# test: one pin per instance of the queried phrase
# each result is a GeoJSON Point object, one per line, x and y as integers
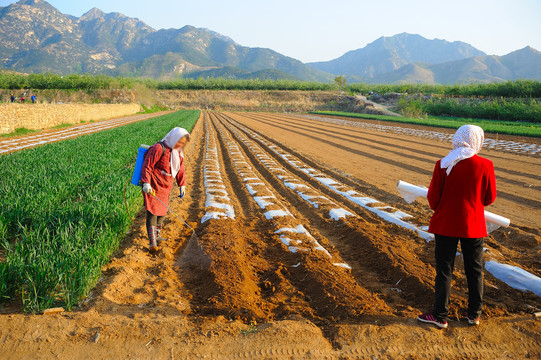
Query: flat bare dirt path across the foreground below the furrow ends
{"type": "Point", "coordinates": [156, 336]}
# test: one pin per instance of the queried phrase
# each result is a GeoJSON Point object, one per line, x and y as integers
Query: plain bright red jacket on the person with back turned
{"type": "Point", "coordinates": [459, 199]}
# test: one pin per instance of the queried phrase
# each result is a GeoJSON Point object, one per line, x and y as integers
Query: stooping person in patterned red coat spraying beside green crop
{"type": "Point", "coordinates": [164, 163]}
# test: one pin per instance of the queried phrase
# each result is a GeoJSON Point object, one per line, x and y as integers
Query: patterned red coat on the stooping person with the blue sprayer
{"type": "Point", "coordinates": [157, 172]}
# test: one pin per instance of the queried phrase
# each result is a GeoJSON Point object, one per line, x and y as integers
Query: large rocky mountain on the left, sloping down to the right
{"type": "Point", "coordinates": [36, 37]}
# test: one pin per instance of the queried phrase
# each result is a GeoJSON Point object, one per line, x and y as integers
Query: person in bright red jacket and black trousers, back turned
{"type": "Point", "coordinates": [462, 185]}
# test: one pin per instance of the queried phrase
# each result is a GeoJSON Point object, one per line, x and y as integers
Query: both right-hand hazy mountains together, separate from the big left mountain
{"type": "Point", "coordinates": [409, 58]}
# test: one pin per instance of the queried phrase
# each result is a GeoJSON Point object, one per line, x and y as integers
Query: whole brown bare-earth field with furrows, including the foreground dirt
{"type": "Point", "coordinates": [236, 291]}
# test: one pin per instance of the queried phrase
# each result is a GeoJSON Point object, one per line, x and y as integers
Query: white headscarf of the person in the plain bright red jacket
{"type": "Point", "coordinates": [467, 142]}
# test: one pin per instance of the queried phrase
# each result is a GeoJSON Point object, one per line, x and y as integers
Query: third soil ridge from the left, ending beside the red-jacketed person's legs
{"type": "Point", "coordinates": [359, 242]}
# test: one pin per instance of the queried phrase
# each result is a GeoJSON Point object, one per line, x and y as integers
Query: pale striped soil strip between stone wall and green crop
{"type": "Point", "coordinates": [53, 135]}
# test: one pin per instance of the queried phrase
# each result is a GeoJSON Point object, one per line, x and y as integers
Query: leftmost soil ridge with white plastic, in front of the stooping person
{"type": "Point", "coordinates": [226, 281]}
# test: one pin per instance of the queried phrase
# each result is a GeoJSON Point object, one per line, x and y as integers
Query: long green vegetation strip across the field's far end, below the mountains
{"type": "Point", "coordinates": [514, 89]}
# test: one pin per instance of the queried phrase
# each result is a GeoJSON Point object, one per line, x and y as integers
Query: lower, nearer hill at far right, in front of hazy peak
{"type": "Point", "coordinates": [520, 64]}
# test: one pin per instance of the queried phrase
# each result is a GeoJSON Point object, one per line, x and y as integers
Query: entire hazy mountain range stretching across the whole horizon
{"type": "Point", "coordinates": [36, 37]}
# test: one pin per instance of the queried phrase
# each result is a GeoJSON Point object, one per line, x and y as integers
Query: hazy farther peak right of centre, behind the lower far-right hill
{"type": "Point", "coordinates": [387, 54]}
